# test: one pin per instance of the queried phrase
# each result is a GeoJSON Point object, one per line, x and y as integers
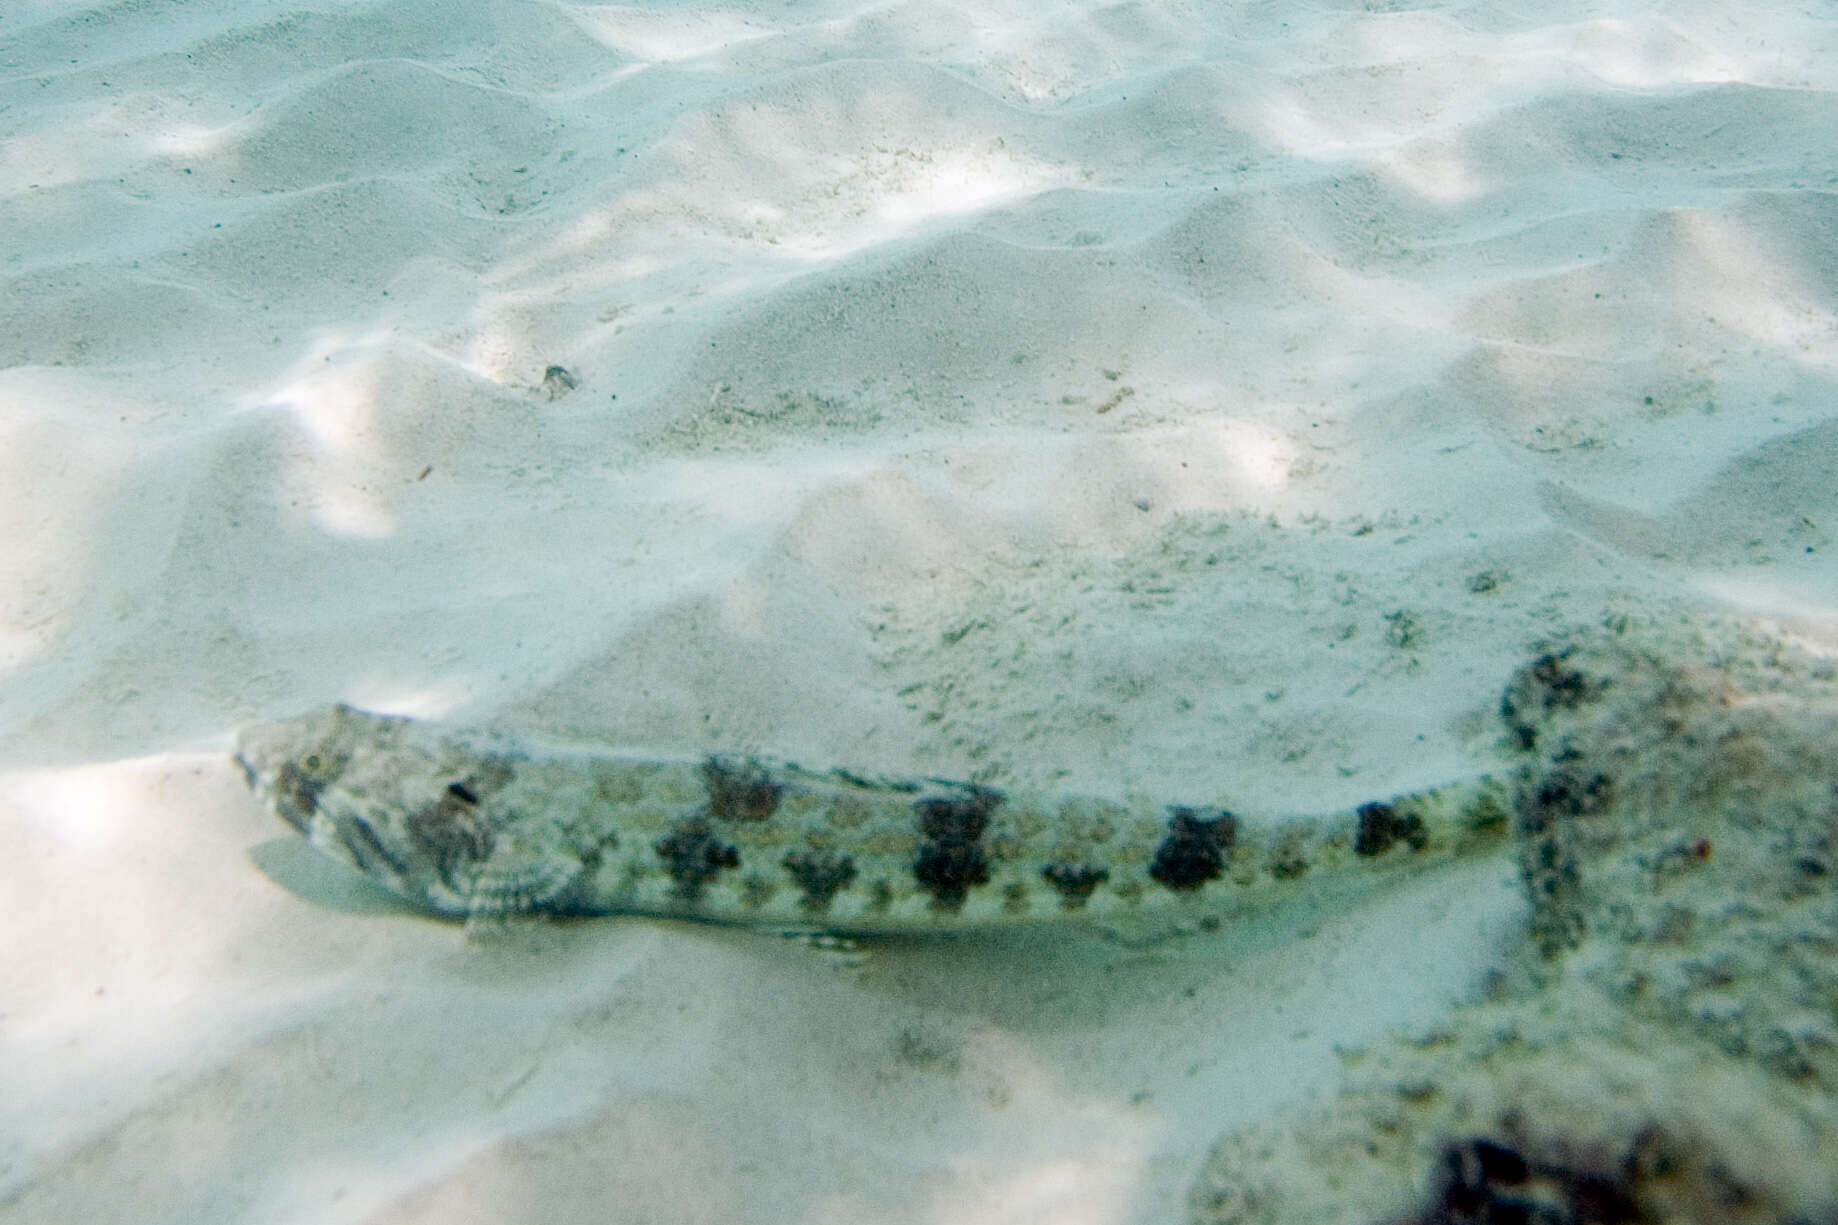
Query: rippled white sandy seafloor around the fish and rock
{"type": "Point", "coordinates": [1177, 398]}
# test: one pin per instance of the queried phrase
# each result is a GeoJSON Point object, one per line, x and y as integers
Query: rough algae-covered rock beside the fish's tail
{"type": "Point", "coordinates": [1666, 1048]}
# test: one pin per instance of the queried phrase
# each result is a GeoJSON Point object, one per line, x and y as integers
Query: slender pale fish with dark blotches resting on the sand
{"type": "Point", "coordinates": [479, 827]}
